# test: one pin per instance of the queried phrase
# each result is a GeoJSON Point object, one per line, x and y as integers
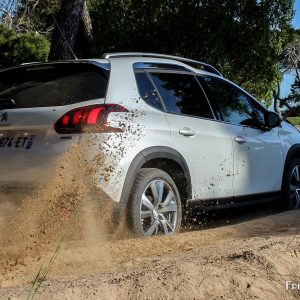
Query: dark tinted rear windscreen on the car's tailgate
{"type": "Point", "coordinates": [52, 85]}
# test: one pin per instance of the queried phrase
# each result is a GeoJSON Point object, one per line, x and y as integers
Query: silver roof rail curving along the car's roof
{"type": "Point", "coordinates": [193, 63]}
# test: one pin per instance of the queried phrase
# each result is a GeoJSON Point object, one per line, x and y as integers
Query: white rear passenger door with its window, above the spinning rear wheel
{"type": "Point", "coordinates": [204, 143]}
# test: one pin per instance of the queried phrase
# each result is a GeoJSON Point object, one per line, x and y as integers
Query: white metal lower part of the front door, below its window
{"type": "Point", "coordinates": [258, 163]}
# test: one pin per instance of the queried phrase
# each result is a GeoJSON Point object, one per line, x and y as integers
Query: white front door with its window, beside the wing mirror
{"type": "Point", "coordinates": [257, 152]}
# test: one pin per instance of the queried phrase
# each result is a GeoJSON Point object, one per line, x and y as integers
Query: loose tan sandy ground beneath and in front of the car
{"type": "Point", "coordinates": [251, 259]}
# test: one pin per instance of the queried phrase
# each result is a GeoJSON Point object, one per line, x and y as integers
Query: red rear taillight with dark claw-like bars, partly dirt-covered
{"type": "Point", "coordinates": [91, 118]}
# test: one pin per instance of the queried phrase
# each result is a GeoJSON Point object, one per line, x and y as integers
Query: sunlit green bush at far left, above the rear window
{"type": "Point", "coordinates": [20, 48]}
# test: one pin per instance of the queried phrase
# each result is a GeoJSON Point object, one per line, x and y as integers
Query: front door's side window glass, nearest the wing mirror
{"type": "Point", "coordinates": [233, 103]}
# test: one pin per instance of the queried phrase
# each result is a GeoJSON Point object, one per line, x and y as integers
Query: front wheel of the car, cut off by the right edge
{"type": "Point", "coordinates": [291, 185]}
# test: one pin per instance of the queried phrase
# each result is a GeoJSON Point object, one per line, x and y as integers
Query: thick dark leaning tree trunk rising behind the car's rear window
{"type": "Point", "coordinates": [65, 31]}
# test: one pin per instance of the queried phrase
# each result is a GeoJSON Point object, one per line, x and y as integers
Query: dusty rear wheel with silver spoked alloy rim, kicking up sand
{"type": "Point", "coordinates": [154, 204]}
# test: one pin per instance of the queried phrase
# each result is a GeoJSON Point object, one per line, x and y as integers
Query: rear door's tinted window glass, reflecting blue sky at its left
{"type": "Point", "coordinates": [182, 94]}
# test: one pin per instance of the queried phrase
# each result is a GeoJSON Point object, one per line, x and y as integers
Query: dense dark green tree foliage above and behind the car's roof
{"type": "Point", "coordinates": [243, 38]}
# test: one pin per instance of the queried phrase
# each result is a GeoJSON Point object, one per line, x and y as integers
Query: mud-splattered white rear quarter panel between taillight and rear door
{"type": "Point", "coordinates": [111, 154]}
